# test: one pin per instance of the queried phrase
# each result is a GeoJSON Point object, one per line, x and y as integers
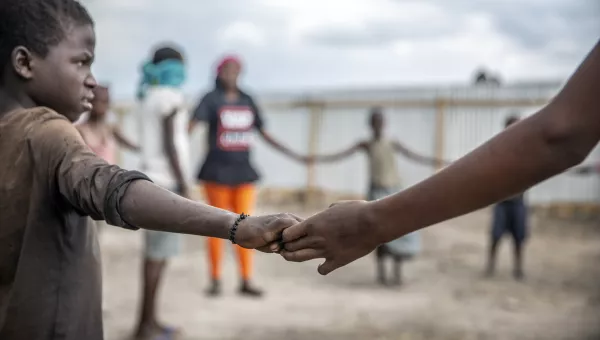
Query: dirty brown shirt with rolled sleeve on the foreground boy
{"type": "Point", "coordinates": [50, 282]}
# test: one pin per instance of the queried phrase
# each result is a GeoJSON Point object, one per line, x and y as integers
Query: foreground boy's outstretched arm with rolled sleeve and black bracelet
{"type": "Point", "coordinates": [86, 183]}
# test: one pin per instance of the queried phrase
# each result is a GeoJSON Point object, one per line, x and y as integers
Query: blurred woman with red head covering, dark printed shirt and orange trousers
{"type": "Point", "coordinates": [227, 175]}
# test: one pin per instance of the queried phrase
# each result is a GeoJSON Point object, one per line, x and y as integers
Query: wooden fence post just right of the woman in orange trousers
{"type": "Point", "coordinates": [316, 117]}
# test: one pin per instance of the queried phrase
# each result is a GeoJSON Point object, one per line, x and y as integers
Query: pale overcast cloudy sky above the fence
{"type": "Point", "coordinates": [296, 45]}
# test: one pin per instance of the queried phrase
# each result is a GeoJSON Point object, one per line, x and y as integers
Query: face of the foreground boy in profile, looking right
{"type": "Point", "coordinates": [63, 81]}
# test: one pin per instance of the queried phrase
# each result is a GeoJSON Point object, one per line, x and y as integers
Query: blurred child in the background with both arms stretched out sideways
{"type": "Point", "coordinates": [384, 181]}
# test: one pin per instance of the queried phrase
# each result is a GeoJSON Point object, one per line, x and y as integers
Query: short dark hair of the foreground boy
{"type": "Point", "coordinates": [37, 25]}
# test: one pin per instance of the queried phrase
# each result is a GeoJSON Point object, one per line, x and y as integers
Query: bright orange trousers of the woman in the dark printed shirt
{"type": "Point", "coordinates": [238, 199]}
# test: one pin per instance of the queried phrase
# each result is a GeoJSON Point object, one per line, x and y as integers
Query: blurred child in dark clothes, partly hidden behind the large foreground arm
{"type": "Point", "coordinates": [510, 216]}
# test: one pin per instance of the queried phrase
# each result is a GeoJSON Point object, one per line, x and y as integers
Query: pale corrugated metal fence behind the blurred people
{"type": "Point", "coordinates": [442, 122]}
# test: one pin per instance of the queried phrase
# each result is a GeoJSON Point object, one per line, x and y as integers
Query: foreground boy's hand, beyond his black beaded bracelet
{"type": "Point", "coordinates": [264, 232]}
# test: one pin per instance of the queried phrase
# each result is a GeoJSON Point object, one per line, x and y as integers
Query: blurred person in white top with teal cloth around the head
{"type": "Point", "coordinates": [163, 121]}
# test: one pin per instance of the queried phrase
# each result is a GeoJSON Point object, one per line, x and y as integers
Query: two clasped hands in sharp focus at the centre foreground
{"type": "Point", "coordinates": [340, 234]}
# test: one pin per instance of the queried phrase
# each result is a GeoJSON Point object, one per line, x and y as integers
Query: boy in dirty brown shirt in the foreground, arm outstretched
{"type": "Point", "coordinates": [50, 282]}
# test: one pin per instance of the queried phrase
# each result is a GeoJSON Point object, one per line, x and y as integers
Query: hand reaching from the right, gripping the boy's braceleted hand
{"type": "Point", "coordinates": [341, 234]}
